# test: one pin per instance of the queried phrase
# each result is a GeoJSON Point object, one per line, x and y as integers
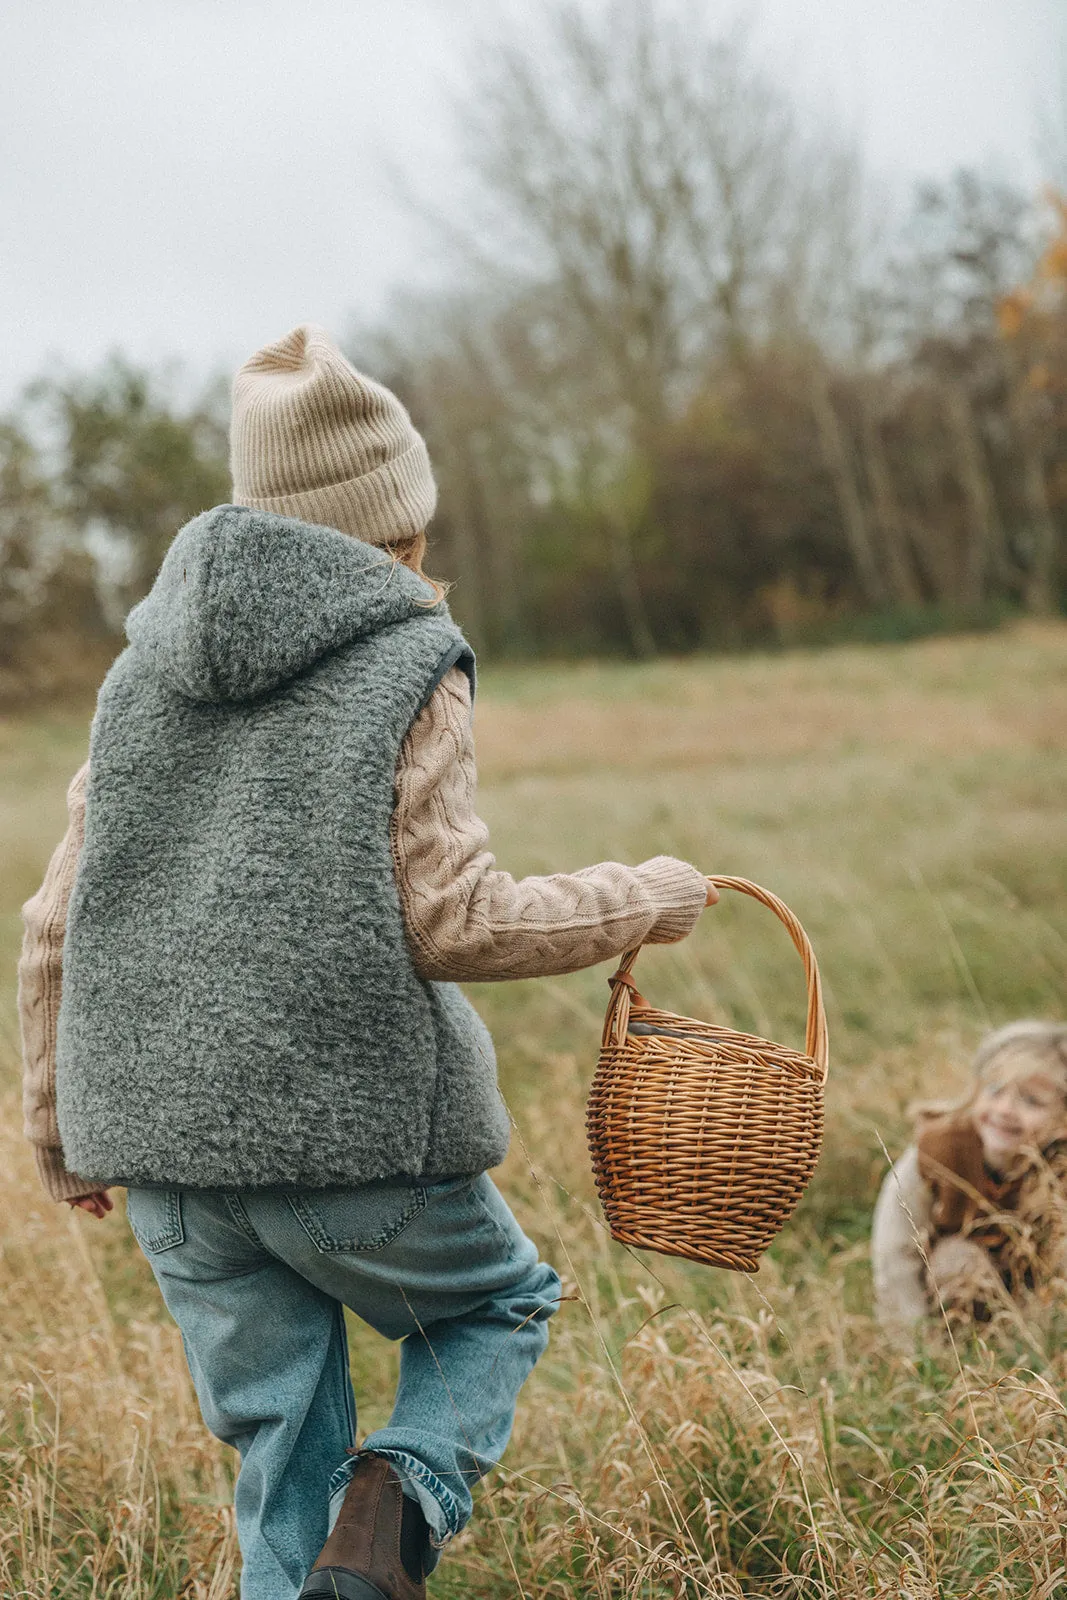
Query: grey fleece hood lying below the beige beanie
{"type": "Point", "coordinates": [246, 601]}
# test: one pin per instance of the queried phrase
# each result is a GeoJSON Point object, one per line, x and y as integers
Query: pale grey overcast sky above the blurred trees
{"type": "Point", "coordinates": [191, 178]}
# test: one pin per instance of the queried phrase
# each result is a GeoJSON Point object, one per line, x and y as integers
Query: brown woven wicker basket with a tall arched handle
{"type": "Point", "coordinates": [705, 1140]}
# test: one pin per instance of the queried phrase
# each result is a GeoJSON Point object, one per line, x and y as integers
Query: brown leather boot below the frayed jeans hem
{"type": "Point", "coordinates": [378, 1542]}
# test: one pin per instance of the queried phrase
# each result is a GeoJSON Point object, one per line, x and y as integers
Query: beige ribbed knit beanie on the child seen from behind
{"type": "Point", "coordinates": [314, 439]}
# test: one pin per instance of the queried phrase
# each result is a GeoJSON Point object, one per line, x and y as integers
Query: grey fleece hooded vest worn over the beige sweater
{"type": "Point", "coordinates": [239, 1001]}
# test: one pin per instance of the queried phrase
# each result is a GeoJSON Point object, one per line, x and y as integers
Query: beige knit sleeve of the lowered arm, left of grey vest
{"type": "Point", "coordinates": [41, 990]}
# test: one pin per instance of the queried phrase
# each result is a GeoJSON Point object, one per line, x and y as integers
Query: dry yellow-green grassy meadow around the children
{"type": "Point", "coordinates": [690, 1433]}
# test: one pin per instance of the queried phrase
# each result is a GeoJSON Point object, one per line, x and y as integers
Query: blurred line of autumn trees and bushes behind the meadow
{"type": "Point", "coordinates": [692, 386]}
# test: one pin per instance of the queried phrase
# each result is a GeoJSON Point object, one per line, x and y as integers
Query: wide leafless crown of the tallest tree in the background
{"type": "Point", "coordinates": [655, 175]}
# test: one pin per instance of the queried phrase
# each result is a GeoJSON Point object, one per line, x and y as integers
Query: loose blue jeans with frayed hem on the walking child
{"type": "Point", "coordinates": [257, 1281]}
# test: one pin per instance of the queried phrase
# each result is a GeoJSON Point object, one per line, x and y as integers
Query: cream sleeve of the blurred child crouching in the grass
{"type": "Point", "coordinates": [898, 1241]}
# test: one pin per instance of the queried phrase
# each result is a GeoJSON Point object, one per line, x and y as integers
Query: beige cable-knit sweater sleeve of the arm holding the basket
{"type": "Point", "coordinates": [468, 921]}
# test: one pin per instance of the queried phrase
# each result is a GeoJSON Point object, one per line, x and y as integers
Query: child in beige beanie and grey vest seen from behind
{"type": "Point", "coordinates": [271, 881]}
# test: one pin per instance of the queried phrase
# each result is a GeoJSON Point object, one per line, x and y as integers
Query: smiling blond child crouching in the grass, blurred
{"type": "Point", "coordinates": [973, 1212]}
